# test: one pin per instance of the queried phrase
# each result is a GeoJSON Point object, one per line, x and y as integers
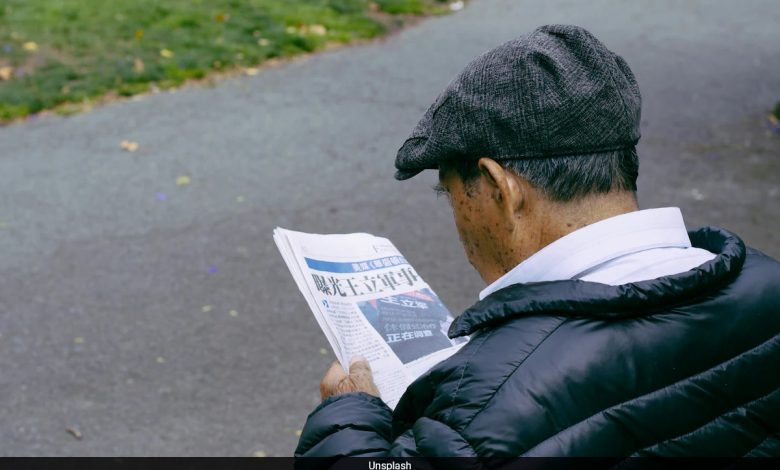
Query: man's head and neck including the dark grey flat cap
{"type": "Point", "coordinates": [532, 140]}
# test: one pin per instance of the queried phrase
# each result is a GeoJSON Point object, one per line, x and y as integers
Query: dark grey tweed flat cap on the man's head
{"type": "Point", "coordinates": [555, 91]}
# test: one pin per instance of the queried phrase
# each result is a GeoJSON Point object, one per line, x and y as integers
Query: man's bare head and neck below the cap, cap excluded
{"type": "Point", "coordinates": [505, 212]}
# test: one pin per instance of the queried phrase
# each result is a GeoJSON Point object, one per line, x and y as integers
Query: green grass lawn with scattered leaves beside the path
{"type": "Point", "coordinates": [58, 54]}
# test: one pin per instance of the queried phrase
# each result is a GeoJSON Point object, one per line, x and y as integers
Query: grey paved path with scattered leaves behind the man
{"type": "Point", "coordinates": [102, 325]}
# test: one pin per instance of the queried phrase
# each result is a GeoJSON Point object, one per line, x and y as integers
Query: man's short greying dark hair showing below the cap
{"type": "Point", "coordinates": [569, 177]}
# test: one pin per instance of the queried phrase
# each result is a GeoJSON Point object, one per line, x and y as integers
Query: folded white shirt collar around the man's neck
{"type": "Point", "coordinates": [597, 243]}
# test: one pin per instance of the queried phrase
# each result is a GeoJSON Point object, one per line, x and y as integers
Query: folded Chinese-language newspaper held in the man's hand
{"type": "Point", "coordinates": [370, 302]}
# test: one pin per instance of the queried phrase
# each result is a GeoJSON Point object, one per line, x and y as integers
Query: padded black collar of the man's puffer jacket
{"type": "Point", "coordinates": [576, 298]}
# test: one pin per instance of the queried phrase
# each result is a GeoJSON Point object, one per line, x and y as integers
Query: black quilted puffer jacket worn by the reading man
{"type": "Point", "coordinates": [682, 365]}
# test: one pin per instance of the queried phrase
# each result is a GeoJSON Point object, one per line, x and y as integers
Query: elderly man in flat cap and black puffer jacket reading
{"type": "Point", "coordinates": [604, 330]}
